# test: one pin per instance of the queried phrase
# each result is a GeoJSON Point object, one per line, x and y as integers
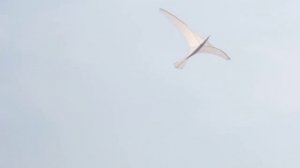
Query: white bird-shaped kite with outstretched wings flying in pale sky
{"type": "Point", "coordinates": [196, 43]}
